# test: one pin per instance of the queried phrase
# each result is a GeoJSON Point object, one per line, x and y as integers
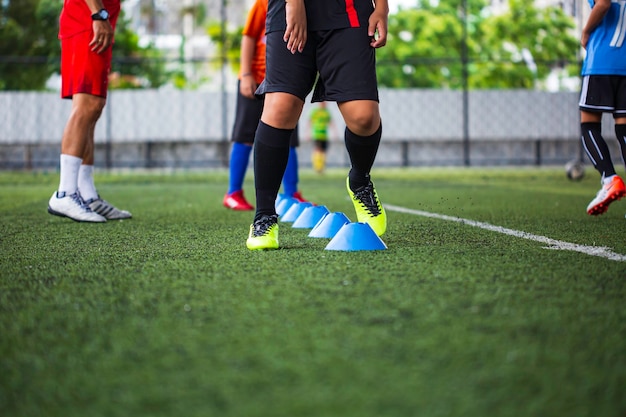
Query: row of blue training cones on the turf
{"type": "Point", "coordinates": [344, 235]}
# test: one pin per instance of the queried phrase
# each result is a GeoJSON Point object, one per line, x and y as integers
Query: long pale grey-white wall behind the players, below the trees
{"type": "Point", "coordinates": [153, 115]}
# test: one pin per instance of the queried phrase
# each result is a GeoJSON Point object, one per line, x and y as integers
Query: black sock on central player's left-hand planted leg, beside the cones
{"type": "Point", "coordinates": [271, 153]}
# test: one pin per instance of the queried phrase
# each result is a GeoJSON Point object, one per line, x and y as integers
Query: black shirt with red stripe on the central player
{"type": "Point", "coordinates": [322, 14]}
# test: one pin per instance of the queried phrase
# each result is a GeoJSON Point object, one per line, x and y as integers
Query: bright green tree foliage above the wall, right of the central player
{"type": "Point", "coordinates": [512, 50]}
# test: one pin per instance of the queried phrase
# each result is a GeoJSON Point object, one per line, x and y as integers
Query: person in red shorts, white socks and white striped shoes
{"type": "Point", "coordinates": [86, 31]}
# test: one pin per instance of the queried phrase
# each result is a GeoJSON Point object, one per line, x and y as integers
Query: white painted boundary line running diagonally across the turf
{"type": "Point", "coordinates": [600, 251]}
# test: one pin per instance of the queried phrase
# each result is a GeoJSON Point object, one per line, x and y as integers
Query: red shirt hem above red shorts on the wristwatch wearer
{"type": "Point", "coordinates": [76, 16]}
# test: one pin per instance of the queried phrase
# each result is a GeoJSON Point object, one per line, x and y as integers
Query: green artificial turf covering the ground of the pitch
{"type": "Point", "coordinates": [168, 314]}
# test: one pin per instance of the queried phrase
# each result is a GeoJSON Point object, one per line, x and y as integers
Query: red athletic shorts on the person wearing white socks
{"type": "Point", "coordinates": [84, 71]}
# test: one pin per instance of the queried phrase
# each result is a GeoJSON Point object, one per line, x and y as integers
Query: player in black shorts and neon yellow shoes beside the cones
{"type": "Point", "coordinates": [327, 46]}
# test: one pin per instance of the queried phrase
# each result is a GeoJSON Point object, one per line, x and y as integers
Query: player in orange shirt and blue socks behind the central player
{"type": "Point", "coordinates": [248, 114]}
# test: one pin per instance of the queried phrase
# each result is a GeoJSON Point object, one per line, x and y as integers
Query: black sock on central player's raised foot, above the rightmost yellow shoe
{"type": "Point", "coordinates": [362, 151]}
